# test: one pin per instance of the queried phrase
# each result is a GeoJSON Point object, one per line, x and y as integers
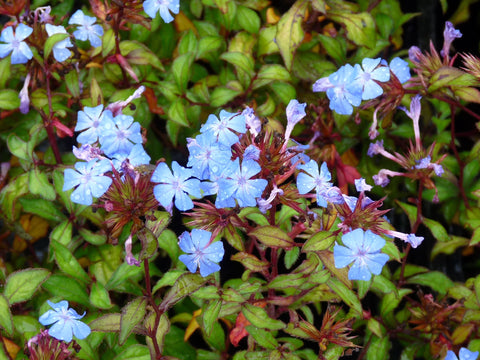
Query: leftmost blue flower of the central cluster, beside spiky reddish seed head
{"type": "Point", "coordinates": [177, 185]}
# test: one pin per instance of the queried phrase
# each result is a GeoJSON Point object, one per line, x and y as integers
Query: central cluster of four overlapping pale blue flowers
{"type": "Point", "coordinates": [211, 169]}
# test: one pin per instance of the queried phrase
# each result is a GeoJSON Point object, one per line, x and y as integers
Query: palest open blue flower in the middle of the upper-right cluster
{"type": "Point", "coordinates": [369, 75]}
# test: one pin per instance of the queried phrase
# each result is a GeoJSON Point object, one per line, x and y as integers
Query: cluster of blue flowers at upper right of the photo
{"type": "Point", "coordinates": [349, 85]}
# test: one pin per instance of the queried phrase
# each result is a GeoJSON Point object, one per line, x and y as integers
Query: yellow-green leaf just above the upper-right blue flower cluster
{"type": "Point", "coordinates": [360, 27]}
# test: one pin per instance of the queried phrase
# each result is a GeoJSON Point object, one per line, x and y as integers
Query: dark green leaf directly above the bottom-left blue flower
{"type": "Point", "coordinates": [66, 288]}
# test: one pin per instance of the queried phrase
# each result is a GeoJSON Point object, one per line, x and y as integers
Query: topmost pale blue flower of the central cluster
{"type": "Point", "coordinates": [221, 129]}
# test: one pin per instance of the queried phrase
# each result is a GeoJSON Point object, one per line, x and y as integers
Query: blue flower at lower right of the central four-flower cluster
{"type": "Point", "coordinates": [239, 185]}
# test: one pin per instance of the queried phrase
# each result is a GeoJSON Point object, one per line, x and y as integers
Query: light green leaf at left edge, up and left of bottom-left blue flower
{"type": "Point", "coordinates": [21, 285]}
